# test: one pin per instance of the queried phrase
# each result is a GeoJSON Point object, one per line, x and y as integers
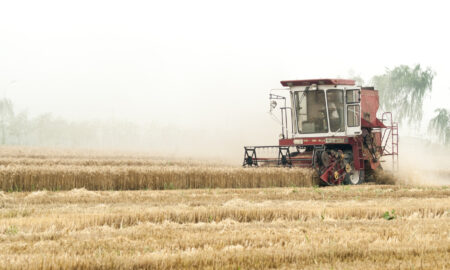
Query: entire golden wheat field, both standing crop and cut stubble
{"type": "Point", "coordinates": [78, 210]}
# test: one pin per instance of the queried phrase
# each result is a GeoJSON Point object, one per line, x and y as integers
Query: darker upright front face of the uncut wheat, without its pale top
{"type": "Point", "coordinates": [28, 178]}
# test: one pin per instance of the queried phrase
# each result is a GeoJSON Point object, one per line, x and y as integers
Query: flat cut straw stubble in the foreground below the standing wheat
{"type": "Point", "coordinates": [332, 228]}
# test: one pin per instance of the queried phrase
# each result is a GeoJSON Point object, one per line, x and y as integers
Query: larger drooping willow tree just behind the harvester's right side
{"type": "Point", "coordinates": [402, 91]}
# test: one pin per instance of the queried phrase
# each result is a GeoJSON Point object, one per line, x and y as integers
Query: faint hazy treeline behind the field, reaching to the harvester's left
{"type": "Point", "coordinates": [151, 138]}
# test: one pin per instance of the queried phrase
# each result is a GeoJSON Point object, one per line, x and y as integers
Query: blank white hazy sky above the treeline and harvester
{"type": "Point", "coordinates": [192, 63]}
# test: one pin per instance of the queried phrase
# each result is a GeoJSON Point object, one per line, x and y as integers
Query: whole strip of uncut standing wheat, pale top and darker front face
{"type": "Point", "coordinates": [23, 169]}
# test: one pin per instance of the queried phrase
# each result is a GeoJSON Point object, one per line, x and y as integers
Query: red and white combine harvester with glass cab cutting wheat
{"type": "Point", "coordinates": [333, 128]}
